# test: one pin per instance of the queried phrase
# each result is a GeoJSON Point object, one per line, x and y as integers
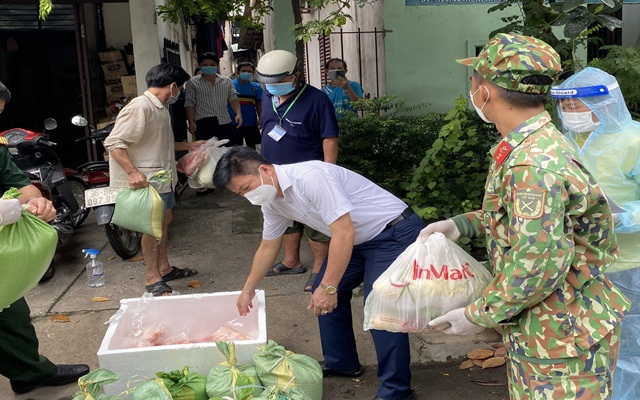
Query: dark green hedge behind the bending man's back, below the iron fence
{"type": "Point", "coordinates": [388, 141]}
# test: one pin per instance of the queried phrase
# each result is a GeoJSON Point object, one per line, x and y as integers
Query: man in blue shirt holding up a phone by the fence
{"type": "Point", "coordinates": [341, 91]}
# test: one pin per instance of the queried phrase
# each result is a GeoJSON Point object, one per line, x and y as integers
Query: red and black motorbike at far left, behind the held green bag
{"type": "Point", "coordinates": [33, 153]}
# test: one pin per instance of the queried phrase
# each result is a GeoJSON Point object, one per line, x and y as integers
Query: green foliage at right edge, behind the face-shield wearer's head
{"type": "Point", "coordinates": [624, 64]}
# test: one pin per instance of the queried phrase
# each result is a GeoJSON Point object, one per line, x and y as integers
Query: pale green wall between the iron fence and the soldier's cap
{"type": "Point", "coordinates": [426, 40]}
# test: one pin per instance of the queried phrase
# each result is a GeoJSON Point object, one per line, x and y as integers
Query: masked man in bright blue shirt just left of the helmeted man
{"type": "Point", "coordinates": [249, 95]}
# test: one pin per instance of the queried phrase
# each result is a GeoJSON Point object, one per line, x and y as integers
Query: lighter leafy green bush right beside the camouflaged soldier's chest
{"type": "Point", "coordinates": [450, 178]}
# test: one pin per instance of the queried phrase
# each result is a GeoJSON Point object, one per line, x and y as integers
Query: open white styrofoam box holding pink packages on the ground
{"type": "Point", "coordinates": [200, 314]}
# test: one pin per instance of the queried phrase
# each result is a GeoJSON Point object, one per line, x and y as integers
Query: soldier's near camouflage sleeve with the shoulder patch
{"type": "Point", "coordinates": [532, 253]}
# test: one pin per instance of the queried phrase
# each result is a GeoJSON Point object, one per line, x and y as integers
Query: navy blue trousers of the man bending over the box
{"type": "Point", "coordinates": [368, 261]}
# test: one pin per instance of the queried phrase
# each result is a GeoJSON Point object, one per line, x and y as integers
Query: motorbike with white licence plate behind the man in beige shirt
{"type": "Point", "coordinates": [101, 198]}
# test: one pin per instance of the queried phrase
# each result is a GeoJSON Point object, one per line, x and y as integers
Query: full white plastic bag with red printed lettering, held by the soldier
{"type": "Point", "coordinates": [426, 281]}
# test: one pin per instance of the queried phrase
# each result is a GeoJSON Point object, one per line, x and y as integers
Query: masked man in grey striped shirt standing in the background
{"type": "Point", "coordinates": [206, 101]}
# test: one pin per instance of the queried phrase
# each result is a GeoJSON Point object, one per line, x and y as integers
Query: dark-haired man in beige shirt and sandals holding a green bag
{"type": "Point", "coordinates": [140, 144]}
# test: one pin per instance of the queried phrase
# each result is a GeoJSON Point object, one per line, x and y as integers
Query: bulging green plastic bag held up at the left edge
{"type": "Point", "coordinates": [26, 250]}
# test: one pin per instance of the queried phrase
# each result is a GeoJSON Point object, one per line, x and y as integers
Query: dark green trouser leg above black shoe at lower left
{"type": "Point", "coordinates": [19, 346]}
